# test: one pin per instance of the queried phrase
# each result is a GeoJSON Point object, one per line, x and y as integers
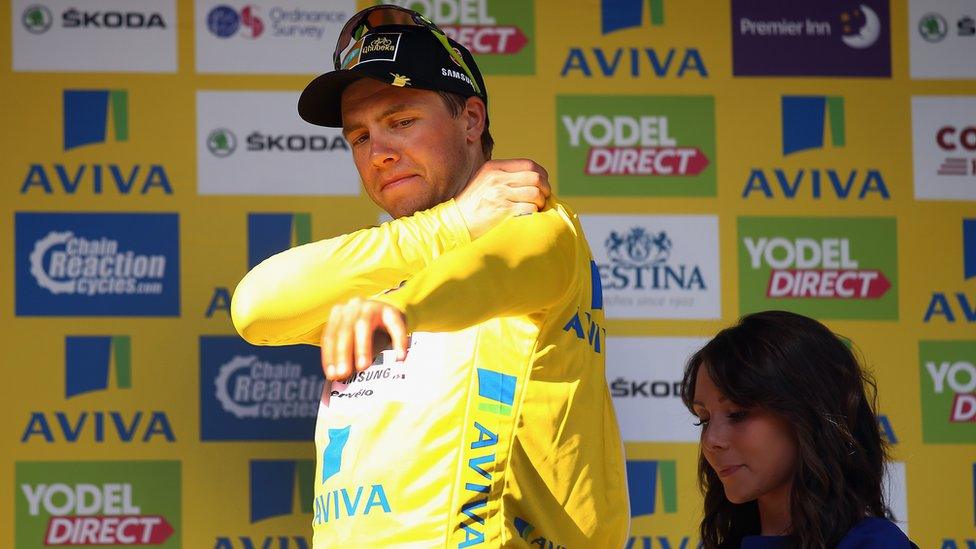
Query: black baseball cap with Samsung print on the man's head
{"type": "Point", "coordinates": [408, 56]}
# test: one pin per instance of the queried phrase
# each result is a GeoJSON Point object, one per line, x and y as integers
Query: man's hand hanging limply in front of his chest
{"type": "Point", "coordinates": [354, 330]}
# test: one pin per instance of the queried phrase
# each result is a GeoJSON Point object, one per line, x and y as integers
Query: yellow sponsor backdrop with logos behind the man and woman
{"type": "Point", "coordinates": [725, 157]}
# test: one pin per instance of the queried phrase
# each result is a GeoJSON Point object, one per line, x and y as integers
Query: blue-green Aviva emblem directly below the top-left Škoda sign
{"type": "Point", "coordinates": [87, 114]}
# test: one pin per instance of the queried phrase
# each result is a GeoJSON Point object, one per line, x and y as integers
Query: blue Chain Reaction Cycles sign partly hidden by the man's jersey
{"type": "Point", "coordinates": [257, 393]}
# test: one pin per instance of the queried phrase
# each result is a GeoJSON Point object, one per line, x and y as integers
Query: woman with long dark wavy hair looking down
{"type": "Point", "coordinates": [791, 453]}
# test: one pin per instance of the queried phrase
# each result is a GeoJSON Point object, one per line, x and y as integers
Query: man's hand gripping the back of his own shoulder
{"type": "Point", "coordinates": [502, 189]}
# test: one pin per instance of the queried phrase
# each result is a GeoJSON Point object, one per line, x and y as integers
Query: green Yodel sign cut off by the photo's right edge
{"type": "Point", "coordinates": [948, 383]}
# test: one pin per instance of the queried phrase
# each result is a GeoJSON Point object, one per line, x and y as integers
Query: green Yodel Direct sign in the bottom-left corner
{"type": "Point", "coordinates": [118, 503]}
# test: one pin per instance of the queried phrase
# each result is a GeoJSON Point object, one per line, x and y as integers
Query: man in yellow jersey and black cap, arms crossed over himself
{"type": "Point", "coordinates": [489, 424]}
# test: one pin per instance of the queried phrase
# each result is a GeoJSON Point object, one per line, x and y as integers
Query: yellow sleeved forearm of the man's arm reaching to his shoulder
{"type": "Point", "coordinates": [287, 298]}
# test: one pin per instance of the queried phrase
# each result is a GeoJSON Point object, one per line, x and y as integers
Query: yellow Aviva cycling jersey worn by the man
{"type": "Point", "coordinates": [497, 430]}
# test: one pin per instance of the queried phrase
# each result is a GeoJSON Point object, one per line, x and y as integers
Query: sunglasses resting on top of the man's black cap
{"type": "Point", "coordinates": [377, 16]}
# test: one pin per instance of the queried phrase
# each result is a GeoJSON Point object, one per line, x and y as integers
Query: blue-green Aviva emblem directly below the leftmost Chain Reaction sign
{"type": "Point", "coordinates": [89, 360]}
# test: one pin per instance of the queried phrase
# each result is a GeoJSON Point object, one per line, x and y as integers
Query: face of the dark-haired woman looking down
{"type": "Point", "coordinates": [752, 450]}
